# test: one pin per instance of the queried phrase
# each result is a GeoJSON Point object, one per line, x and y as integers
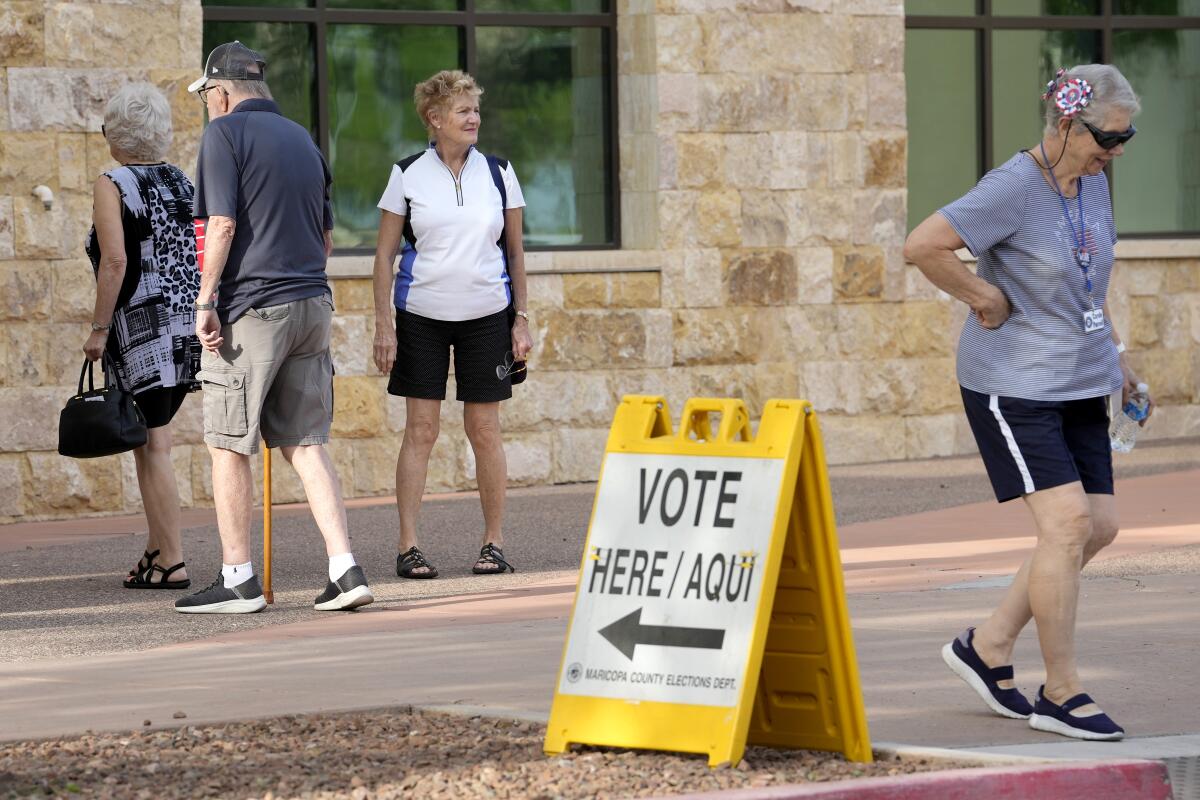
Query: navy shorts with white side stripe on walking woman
{"type": "Point", "coordinates": [1034, 446]}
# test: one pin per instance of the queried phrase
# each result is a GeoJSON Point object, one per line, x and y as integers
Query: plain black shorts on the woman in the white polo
{"type": "Point", "coordinates": [423, 358]}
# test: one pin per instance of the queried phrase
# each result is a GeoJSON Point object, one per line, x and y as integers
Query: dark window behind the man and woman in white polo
{"type": "Point", "coordinates": [346, 70]}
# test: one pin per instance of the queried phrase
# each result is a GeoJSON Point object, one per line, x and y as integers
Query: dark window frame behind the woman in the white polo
{"type": "Point", "coordinates": [466, 20]}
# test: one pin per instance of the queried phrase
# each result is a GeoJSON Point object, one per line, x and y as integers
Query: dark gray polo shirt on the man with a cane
{"type": "Point", "coordinates": [262, 170]}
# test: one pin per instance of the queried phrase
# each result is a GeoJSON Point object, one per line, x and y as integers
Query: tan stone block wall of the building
{"type": "Point", "coordinates": [763, 176]}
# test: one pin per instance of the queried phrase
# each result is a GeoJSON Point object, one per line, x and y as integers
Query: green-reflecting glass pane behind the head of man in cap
{"type": "Point", "coordinates": [291, 67]}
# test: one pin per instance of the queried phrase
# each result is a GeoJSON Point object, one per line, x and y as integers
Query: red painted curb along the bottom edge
{"type": "Point", "coordinates": [1130, 780]}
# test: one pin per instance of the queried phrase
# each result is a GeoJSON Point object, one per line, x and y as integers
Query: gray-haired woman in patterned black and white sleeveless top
{"type": "Point", "coordinates": [143, 250]}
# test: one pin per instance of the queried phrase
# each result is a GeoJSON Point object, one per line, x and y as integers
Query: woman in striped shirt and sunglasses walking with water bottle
{"type": "Point", "coordinates": [1037, 360]}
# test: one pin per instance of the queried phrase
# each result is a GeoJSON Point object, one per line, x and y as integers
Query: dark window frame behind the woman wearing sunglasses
{"type": "Point", "coordinates": [985, 23]}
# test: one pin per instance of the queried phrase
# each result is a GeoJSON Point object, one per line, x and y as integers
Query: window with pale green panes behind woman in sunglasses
{"type": "Point", "coordinates": [975, 71]}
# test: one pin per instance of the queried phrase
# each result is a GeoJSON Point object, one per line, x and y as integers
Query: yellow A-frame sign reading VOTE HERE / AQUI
{"type": "Point", "coordinates": [710, 609]}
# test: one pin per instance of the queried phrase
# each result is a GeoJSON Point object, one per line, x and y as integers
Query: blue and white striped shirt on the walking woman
{"type": "Point", "coordinates": [1013, 222]}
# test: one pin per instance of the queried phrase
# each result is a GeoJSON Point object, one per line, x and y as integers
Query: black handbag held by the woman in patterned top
{"type": "Point", "coordinates": [101, 422]}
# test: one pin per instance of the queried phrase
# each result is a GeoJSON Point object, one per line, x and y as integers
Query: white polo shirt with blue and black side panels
{"type": "Point", "coordinates": [455, 269]}
